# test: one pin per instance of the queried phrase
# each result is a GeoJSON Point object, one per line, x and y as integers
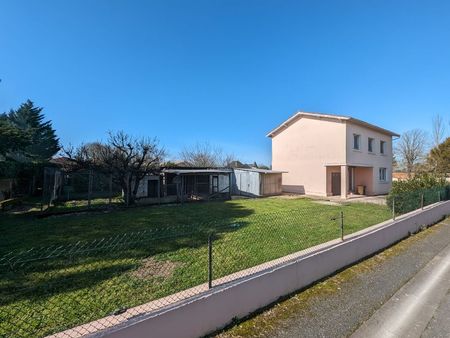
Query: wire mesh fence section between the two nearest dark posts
{"type": "Point", "coordinates": [268, 241]}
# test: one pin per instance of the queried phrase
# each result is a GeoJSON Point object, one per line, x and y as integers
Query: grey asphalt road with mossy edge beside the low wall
{"type": "Point", "coordinates": [355, 297]}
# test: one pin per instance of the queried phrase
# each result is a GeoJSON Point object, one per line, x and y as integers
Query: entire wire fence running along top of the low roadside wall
{"type": "Point", "coordinates": [77, 289]}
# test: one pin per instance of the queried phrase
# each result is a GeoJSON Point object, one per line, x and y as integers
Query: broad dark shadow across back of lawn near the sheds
{"type": "Point", "coordinates": [22, 232]}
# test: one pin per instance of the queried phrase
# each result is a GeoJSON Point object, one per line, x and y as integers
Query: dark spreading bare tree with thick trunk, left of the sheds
{"type": "Point", "coordinates": [126, 158]}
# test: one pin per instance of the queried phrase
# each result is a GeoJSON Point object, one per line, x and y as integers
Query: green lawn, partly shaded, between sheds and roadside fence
{"type": "Point", "coordinates": [166, 253]}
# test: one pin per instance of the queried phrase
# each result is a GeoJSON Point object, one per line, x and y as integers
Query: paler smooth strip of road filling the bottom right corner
{"type": "Point", "coordinates": [419, 308]}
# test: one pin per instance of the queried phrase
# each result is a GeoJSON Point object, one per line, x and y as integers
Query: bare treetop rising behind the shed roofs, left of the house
{"type": "Point", "coordinates": [205, 155]}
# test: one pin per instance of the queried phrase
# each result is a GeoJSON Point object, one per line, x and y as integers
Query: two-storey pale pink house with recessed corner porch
{"type": "Point", "coordinates": [329, 155]}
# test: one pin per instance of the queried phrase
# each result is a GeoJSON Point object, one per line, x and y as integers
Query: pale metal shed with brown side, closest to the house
{"type": "Point", "coordinates": [254, 182]}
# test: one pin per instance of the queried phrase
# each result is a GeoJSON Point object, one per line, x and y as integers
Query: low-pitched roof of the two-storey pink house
{"type": "Point", "coordinates": [300, 115]}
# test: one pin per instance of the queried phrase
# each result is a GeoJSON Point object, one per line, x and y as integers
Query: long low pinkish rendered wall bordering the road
{"type": "Point", "coordinates": [216, 308]}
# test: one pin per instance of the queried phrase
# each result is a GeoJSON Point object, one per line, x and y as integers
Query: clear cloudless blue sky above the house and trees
{"type": "Point", "coordinates": [226, 72]}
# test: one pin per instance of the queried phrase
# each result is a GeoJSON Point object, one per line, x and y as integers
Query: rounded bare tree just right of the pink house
{"type": "Point", "coordinates": [410, 149]}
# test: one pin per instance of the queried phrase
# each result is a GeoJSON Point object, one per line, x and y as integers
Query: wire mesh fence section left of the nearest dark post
{"type": "Point", "coordinates": [48, 290]}
